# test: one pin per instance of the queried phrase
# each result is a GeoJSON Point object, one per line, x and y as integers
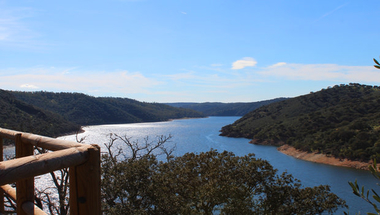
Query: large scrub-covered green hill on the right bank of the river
{"type": "Point", "coordinates": [342, 121]}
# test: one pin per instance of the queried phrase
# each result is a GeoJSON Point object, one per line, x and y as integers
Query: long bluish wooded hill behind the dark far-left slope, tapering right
{"type": "Point", "coordinates": [88, 110]}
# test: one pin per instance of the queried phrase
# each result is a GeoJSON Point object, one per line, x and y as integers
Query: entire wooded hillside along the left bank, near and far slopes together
{"type": "Point", "coordinates": [56, 114]}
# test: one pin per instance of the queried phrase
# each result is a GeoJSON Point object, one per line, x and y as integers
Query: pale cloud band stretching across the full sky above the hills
{"type": "Point", "coordinates": [202, 82]}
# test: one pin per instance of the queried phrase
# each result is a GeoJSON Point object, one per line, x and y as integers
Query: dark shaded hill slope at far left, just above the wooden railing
{"type": "Point", "coordinates": [20, 116]}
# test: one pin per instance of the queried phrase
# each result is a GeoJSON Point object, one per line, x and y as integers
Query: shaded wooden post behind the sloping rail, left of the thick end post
{"type": "Point", "coordinates": [24, 188]}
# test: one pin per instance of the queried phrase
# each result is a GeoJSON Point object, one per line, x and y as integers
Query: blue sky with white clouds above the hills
{"type": "Point", "coordinates": [188, 51]}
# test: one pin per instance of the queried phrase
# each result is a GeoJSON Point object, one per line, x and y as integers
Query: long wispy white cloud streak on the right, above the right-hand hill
{"type": "Point", "coordinates": [207, 77]}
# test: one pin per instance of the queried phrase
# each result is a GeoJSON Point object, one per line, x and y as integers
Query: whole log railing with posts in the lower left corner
{"type": "Point", "coordinates": [84, 171]}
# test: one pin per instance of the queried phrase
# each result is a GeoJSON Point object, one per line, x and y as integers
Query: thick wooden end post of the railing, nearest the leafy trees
{"type": "Point", "coordinates": [85, 185]}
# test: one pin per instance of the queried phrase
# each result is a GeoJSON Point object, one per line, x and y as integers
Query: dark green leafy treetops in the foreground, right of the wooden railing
{"type": "Point", "coordinates": [206, 183]}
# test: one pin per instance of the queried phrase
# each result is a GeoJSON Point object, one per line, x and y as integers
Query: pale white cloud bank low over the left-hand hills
{"type": "Point", "coordinates": [58, 80]}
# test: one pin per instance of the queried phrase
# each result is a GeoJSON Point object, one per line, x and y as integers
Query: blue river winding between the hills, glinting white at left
{"type": "Point", "coordinates": [197, 135]}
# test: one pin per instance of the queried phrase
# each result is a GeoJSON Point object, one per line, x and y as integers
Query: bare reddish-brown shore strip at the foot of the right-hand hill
{"type": "Point", "coordinates": [322, 158]}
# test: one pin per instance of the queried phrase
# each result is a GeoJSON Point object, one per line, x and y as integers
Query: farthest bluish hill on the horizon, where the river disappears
{"type": "Point", "coordinates": [224, 109]}
